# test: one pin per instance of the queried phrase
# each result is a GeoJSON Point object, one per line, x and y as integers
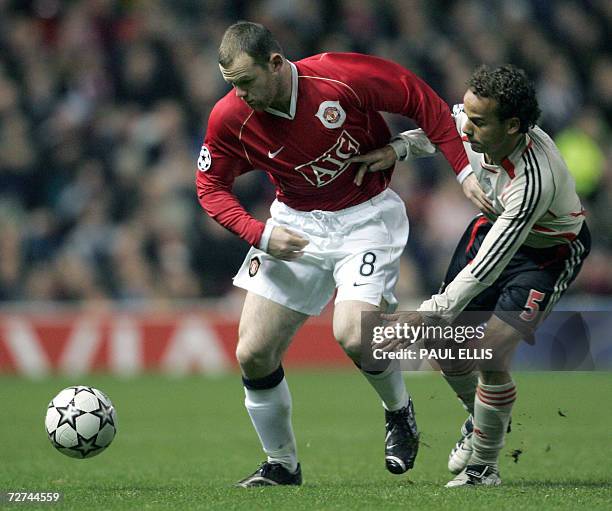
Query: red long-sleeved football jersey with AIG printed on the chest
{"type": "Point", "coordinates": [334, 115]}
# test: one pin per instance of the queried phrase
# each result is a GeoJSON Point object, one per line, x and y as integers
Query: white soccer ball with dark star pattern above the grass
{"type": "Point", "coordinates": [81, 422]}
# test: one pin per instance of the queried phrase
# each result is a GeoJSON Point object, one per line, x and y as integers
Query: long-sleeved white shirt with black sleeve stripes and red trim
{"type": "Point", "coordinates": [535, 202]}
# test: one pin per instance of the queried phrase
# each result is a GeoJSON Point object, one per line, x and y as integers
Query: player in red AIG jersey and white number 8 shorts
{"type": "Point", "coordinates": [301, 122]}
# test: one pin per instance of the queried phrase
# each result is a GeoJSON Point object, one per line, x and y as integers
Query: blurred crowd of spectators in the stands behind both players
{"type": "Point", "coordinates": [104, 103]}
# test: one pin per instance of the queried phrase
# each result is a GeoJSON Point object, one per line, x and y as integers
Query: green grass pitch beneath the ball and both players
{"type": "Point", "coordinates": [182, 442]}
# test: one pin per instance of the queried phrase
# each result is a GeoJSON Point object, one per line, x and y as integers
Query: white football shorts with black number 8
{"type": "Point", "coordinates": [355, 250]}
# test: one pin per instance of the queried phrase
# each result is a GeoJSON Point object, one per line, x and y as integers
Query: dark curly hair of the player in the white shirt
{"type": "Point", "coordinates": [514, 93]}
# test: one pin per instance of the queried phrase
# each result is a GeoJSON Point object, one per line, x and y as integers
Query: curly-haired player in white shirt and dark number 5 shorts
{"type": "Point", "coordinates": [514, 261]}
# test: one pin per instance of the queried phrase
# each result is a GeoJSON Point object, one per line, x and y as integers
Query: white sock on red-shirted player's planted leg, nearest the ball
{"type": "Point", "coordinates": [270, 412]}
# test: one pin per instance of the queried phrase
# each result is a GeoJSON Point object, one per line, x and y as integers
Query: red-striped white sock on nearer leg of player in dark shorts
{"type": "Point", "coordinates": [492, 409]}
